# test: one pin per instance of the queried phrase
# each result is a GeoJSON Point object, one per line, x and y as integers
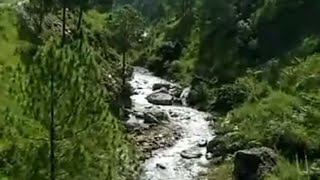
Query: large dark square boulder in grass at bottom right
{"type": "Point", "coordinates": [254, 164]}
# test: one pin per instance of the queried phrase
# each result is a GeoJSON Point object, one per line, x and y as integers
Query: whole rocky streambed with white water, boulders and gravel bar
{"type": "Point", "coordinates": [171, 136]}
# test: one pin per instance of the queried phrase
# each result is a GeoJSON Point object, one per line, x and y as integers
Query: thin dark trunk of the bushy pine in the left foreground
{"type": "Point", "coordinates": [52, 134]}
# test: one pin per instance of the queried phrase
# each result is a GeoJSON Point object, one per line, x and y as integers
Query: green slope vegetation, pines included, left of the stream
{"type": "Point", "coordinates": [60, 108]}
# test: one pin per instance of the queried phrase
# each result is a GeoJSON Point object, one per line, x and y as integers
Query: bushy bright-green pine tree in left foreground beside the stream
{"type": "Point", "coordinates": [62, 90]}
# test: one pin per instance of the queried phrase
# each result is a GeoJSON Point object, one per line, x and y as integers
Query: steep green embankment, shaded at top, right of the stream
{"type": "Point", "coordinates": [255, 63]}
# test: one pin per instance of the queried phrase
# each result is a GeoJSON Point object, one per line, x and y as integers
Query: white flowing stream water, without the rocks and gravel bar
{"type": "Point", "coordinates": [192, 125]}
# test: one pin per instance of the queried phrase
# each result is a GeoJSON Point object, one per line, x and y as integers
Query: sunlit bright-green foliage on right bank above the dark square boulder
{"type": "Point", "coordinates": [286, 119]}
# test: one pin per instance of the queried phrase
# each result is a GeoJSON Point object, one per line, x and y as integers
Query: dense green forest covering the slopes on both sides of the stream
{"type": "Point", "coordinates": [65, 68]}
